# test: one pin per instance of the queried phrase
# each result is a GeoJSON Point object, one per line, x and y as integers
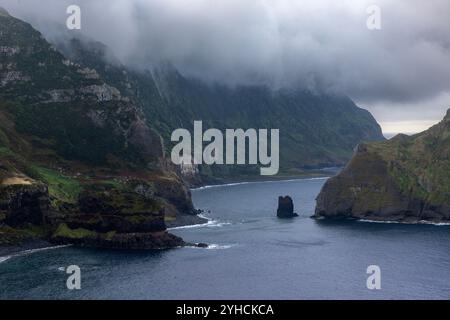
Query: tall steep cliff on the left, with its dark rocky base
{"type": "Point", "coordinates": [77, 155]}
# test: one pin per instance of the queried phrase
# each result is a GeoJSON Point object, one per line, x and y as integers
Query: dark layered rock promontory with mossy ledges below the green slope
{"type": "Point", "coordinates": [115, 217]}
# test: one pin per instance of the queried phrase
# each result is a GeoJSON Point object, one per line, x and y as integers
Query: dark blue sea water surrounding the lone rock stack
{"type": "Point", "coordinates": [251, 255]}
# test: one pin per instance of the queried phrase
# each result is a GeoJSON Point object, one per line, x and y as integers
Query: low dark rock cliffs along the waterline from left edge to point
{"type": "Point", "coordinates": [120, 216]}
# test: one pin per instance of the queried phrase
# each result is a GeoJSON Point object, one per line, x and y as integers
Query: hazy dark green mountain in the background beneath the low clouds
{"type": "Point", "coordinates": [316, 130]}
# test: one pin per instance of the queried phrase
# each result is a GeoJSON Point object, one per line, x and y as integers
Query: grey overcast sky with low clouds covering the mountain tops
{"type": "Point", "coordinates": [401, 73]}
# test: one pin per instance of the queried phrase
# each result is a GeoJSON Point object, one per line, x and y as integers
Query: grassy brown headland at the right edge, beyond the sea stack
{"type": "Point", "coordinates": [404, 179]}
